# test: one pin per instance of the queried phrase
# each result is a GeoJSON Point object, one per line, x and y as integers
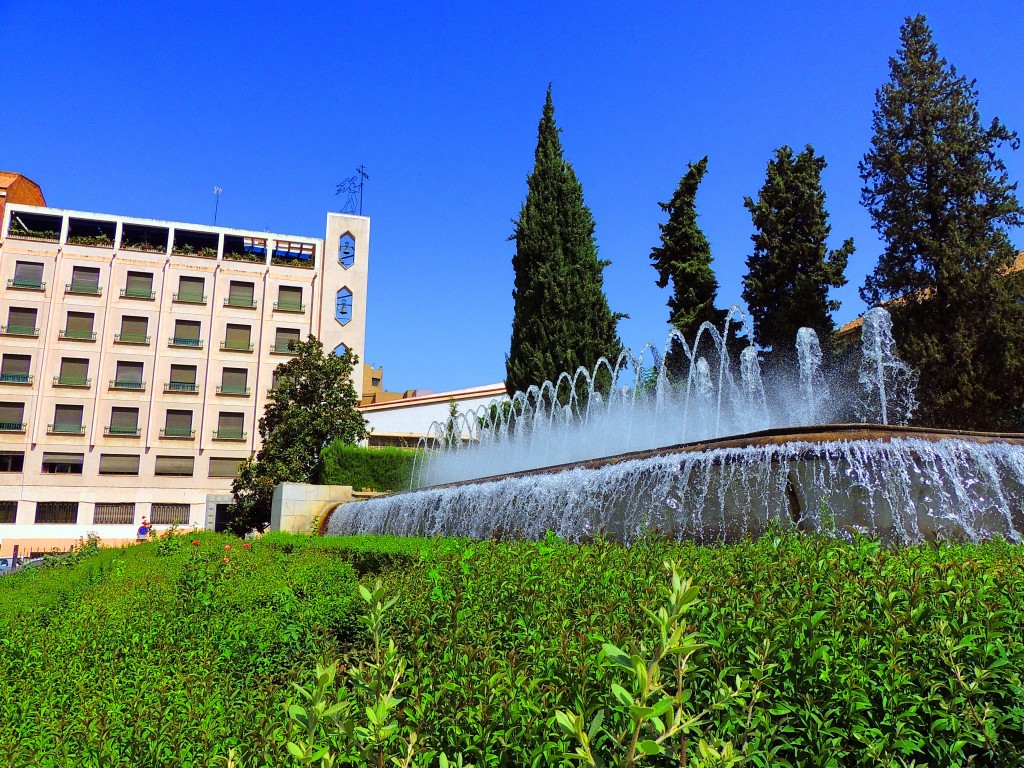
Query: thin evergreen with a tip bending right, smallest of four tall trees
{"type": "Point", "coordinates": [685, 259]}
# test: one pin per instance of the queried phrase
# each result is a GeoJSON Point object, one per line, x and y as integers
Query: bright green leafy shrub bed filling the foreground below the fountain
{"type": "Point", "coordinates": [797, 652]}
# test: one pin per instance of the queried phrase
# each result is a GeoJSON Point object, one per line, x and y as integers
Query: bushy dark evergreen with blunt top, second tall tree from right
{"type": "Point", "coordinates": [792, 270]}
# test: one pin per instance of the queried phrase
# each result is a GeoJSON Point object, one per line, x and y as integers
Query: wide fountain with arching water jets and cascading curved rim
{"type": "Point", "coordinates": [696, 446]}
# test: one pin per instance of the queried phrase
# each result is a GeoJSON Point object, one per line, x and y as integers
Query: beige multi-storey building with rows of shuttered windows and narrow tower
{"type": "Point", "coordinates": [136, 360]}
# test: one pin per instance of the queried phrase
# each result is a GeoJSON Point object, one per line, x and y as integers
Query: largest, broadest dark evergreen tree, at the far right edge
{"type": "Point", "coordinates": [943, 203]}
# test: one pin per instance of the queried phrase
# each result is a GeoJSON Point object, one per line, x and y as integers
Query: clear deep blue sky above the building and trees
{"type": "Point", "coordinates": [141, 109]}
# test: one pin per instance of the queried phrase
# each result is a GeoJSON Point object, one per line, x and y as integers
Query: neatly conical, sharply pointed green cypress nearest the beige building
{"type": "Point", "coordinates": [563, 320]}
